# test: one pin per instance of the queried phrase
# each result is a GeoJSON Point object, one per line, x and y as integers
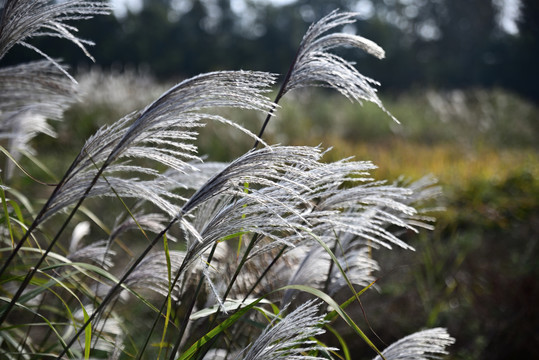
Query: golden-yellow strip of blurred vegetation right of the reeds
{"type": "Point", "coordinates": [453, 165]}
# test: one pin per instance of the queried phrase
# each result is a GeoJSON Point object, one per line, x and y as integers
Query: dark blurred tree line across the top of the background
{"type": "Point", "coordinates": [439, 43]}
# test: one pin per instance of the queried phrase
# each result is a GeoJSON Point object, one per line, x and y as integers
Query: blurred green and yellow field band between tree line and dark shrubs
{"type": "Point", "coordinates": [490, 137]}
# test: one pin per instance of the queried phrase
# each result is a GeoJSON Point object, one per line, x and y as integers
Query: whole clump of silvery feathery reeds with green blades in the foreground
{"type": "Point", "coordinates": [182, 258]}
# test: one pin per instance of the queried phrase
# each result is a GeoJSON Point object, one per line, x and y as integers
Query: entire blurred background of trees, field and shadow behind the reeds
{"type": "Point", "coordinates": [462, 76]}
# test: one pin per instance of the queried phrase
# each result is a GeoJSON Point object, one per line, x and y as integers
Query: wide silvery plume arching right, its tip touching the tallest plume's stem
{"type": "Point", "coordinates": [161, 133]}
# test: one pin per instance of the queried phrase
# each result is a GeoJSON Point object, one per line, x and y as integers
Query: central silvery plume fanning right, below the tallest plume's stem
{"type": "Point", "coordinates": [273, 207]}
